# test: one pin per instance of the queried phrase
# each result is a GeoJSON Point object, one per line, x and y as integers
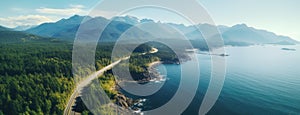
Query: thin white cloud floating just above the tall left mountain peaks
{"type": "Point", "coordinates": [73, 9]}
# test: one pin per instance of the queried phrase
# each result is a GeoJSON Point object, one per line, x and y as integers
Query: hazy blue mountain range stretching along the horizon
{"type": "Point", "coordinates": [240, 34]}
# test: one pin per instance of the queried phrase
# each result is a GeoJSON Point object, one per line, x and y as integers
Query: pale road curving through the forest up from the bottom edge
{"type": "Point", "coordinates": [68, 110]}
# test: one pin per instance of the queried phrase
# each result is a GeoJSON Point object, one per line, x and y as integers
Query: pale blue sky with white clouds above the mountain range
{"type": "Point", "coordinates": [278, 16]}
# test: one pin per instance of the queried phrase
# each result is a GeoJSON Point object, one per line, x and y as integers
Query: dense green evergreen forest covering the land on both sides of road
{"type": "Point", "coordinates": [36, 73]}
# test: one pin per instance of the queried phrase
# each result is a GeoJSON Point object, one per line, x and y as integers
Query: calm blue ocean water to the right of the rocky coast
{"type": "Point", "coordinates": [259, 80]}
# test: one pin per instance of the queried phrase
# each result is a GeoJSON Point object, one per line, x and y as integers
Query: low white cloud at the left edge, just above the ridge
{"type": "Point", "coordinates": [25, 20]}
